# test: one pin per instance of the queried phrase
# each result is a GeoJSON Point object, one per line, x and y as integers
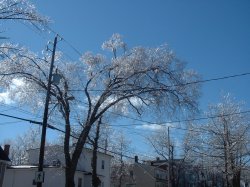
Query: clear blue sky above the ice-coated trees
{"type": "Point", "coordinates": [213, 37]}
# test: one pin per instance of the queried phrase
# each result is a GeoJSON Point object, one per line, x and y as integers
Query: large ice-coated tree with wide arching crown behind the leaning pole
{"type": "Point", "coordinates": [136, 80]}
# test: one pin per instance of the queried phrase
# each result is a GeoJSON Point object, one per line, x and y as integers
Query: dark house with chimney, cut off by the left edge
{"type": "Point", "coordinates": [4, 161]}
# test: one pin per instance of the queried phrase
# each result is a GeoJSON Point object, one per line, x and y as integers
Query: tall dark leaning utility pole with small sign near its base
{"type": "Point", "coordinates": [40, 174]}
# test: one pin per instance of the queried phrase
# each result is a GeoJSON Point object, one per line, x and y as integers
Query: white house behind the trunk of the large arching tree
{"type": "Point", "coordinates": [54, 169]}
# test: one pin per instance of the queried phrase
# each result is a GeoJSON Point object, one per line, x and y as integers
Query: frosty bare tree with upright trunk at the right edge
{"type": "Point", "coordinates": [224, 140]}
